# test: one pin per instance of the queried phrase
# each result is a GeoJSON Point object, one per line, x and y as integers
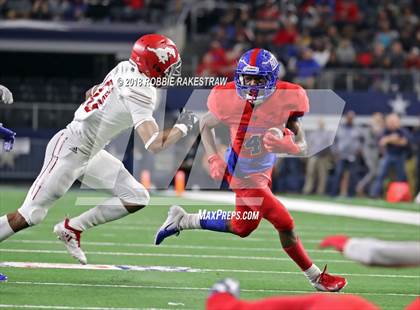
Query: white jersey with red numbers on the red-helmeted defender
{"type": "Point", "coordinates": [118, 103]}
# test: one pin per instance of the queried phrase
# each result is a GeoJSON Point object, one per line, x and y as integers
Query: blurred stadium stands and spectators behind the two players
{"type": "Point", "coordinates": [367, 51]}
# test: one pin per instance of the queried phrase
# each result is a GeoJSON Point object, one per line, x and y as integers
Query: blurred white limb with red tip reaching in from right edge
{"type": "Point", "coordinates": [375, 252]}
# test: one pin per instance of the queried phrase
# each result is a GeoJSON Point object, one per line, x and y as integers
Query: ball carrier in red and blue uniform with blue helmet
{"type": "Point", "coordinates": [249, 106]}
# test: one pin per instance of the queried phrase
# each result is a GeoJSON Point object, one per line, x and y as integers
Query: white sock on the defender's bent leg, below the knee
{"type": "Point", "coordinates": [111, 210]}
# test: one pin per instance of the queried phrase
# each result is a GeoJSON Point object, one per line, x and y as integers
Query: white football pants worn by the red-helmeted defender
{"type": "Point", "coordinates": [64, 164]}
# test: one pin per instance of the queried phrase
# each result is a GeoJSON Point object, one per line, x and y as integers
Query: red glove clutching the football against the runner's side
{"type": "Point", "coordinates": [274, 144]}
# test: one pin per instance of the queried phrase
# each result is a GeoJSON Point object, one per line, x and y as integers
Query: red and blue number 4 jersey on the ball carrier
{"type": "Point", "coordinates": [248, 124]}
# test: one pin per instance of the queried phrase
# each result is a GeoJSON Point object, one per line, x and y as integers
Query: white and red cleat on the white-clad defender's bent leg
{"type": "Point", "coordinates": [71, 240]}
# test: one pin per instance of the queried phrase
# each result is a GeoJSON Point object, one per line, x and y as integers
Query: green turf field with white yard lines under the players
{"type": "Point", "coordinates": [257, 261]}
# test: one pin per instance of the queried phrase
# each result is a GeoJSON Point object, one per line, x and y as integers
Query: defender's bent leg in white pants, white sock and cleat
{"type": "Point", "coordinates": [129, 196]}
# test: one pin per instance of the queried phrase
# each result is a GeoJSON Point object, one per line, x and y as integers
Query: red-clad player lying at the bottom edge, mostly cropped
{"type": "Point", "coordinates": [224, 295]}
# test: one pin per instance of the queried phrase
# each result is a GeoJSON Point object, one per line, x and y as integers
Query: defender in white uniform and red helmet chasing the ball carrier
{"type": "Point", "coordinates": [77, 151]}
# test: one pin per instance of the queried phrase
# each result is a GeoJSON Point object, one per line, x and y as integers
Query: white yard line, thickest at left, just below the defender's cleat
{"type": "Point", "coordinates": [35, 265]}
